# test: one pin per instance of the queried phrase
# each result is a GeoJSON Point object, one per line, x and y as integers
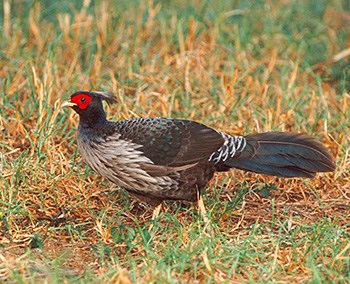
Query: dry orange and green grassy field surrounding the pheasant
{"type": "Point", "coordinates": [238, 66]}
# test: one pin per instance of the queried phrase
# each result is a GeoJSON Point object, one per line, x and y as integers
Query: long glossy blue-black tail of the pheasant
{"type": "Point", "coordinates": [284, 154]}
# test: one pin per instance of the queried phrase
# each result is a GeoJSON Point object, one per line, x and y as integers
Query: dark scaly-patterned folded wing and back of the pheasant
{"type": "Point", "coordinates": [171, 142]}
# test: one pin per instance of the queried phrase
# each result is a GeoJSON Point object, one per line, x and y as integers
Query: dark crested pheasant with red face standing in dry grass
{"type": "Point", "coordinates": [158, 159]}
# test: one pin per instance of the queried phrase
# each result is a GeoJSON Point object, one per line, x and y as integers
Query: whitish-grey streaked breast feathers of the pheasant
{"type": "Point", "coordinates": [119, 161]}
